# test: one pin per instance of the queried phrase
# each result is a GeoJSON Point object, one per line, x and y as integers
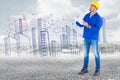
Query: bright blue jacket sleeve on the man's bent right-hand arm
{"type": "Point", "coordinates": [98, 25]}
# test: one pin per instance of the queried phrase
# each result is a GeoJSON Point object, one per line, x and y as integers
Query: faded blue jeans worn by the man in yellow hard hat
{"type": "Point", "coordinates": [87, 44]}
